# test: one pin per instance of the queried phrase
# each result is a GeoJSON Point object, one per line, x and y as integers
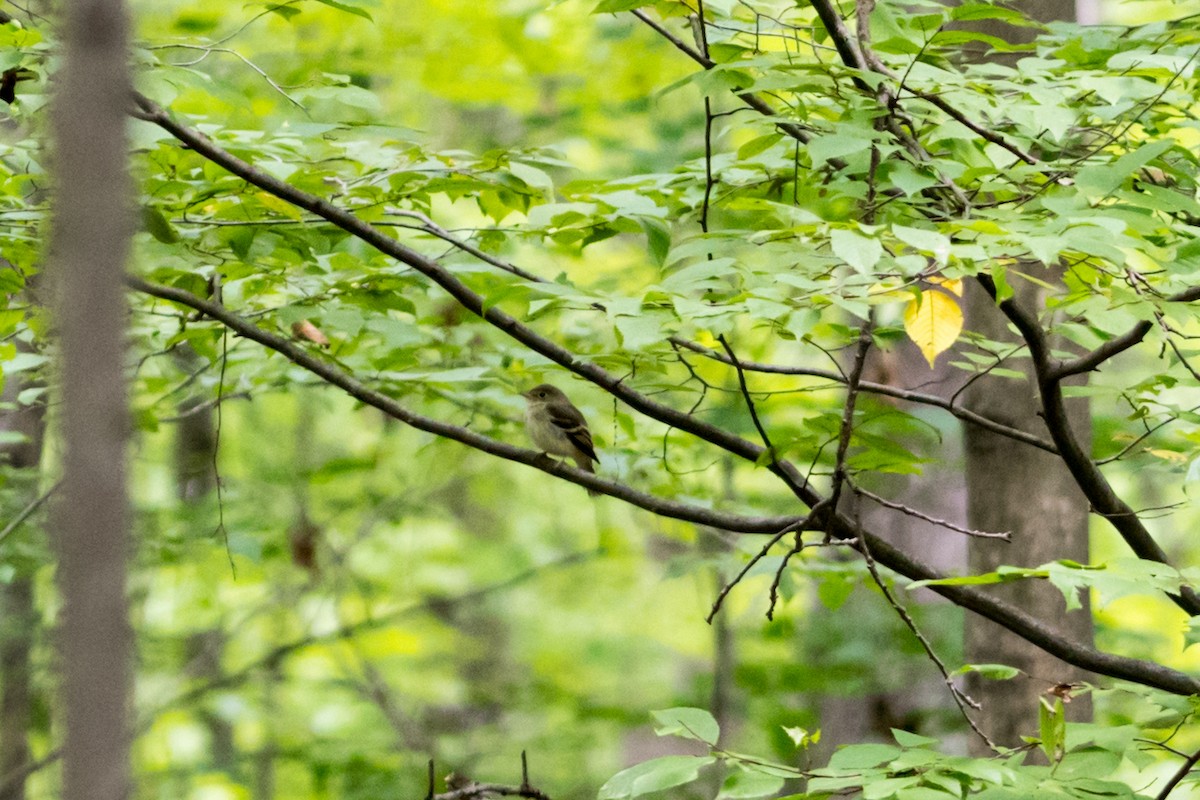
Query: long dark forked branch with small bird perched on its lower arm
{"type": "Point", "coordinates": [1011, 617]}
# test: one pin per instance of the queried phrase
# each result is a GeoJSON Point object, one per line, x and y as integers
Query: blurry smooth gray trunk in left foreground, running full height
{"type": "Point", "coordinates": [89, 246]}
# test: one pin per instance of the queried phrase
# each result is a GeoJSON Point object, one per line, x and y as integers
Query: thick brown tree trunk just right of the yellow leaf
{"type": "Point", "coordinates": [1031, 494]}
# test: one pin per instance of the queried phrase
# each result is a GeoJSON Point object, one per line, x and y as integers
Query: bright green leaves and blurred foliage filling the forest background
{"type": "Point", "coordinates": [359, 598]}
